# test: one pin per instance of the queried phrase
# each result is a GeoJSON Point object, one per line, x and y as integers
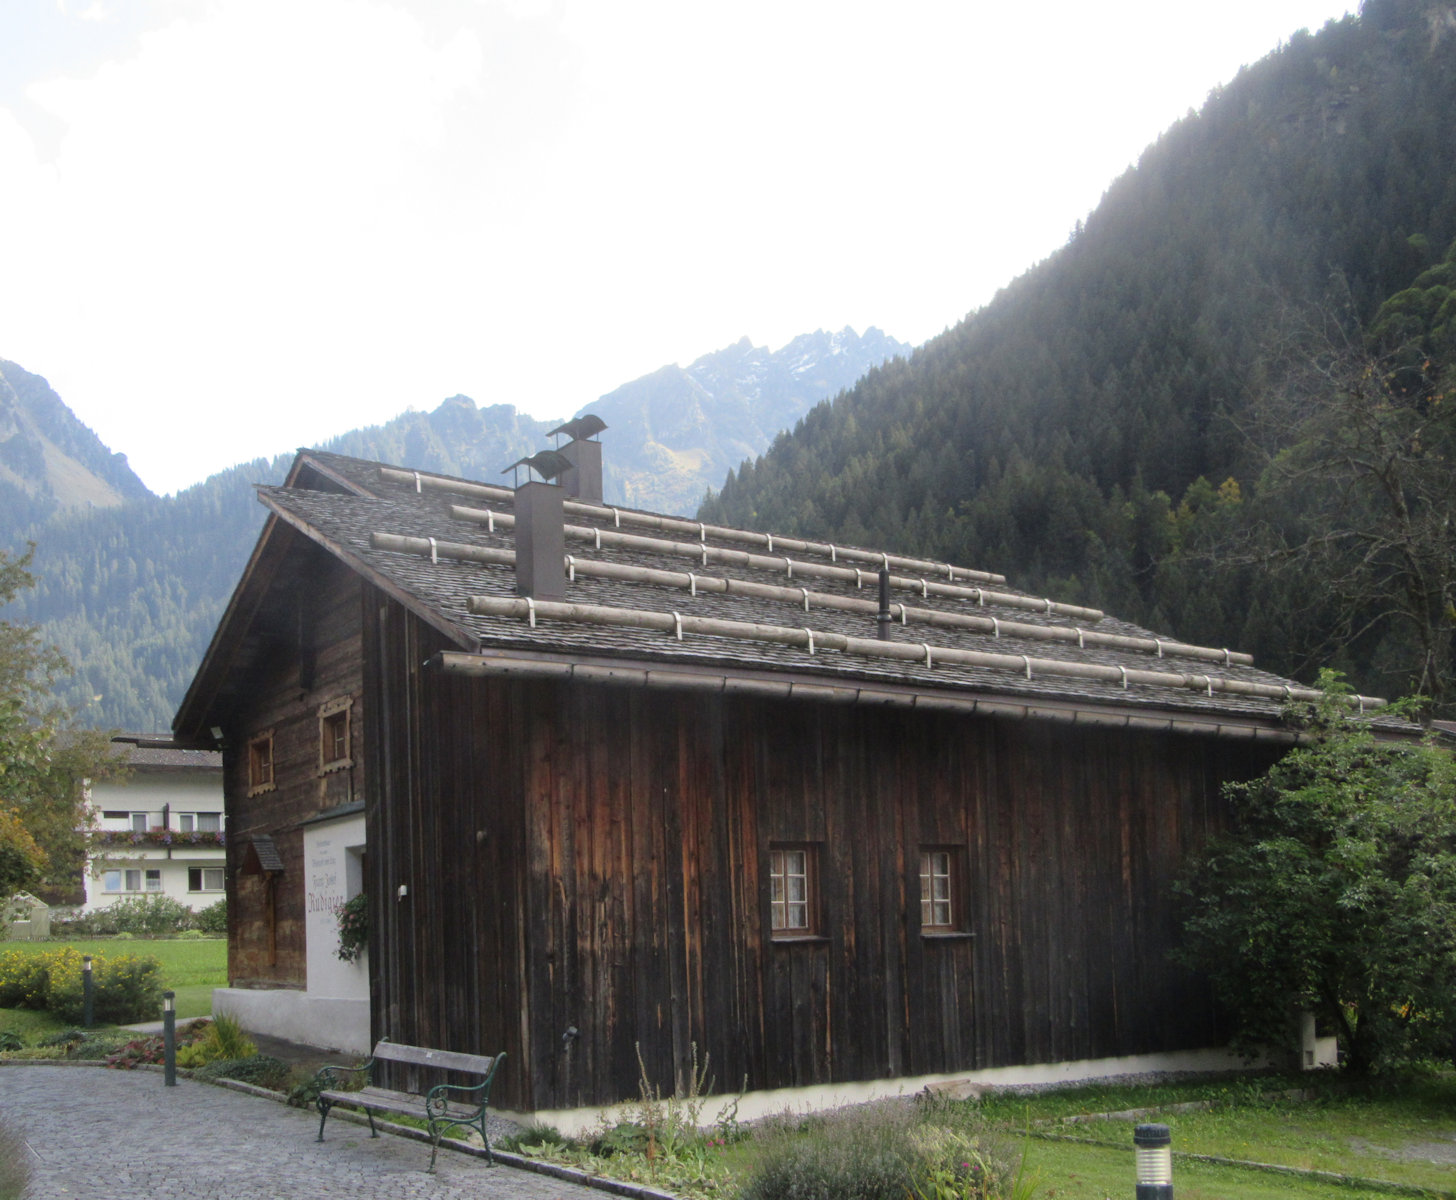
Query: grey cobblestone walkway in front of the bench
{"type": "Point", "coordinates": [117, 1135]}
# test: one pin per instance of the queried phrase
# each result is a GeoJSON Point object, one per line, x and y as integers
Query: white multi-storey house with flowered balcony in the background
{"type": "Point", "coordinates": [159, 831]}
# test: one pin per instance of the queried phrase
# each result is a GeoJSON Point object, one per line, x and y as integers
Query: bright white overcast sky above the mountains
{"type": "Point", "coordinates": [232, 228]}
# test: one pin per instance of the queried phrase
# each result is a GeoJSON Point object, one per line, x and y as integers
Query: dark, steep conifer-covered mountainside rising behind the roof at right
{"type": "Point", "coordinates": [1104, 429]}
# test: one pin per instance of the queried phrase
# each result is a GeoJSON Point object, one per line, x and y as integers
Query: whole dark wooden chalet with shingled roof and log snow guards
{"type": "Point", "coordinates": [614, 781]}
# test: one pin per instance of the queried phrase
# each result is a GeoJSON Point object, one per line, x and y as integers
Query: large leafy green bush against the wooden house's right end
{"type": "Point", "coordinates": [1334, 893]}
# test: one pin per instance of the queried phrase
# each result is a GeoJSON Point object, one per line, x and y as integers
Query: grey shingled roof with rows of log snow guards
{"type": "Point", "coordinates": [670, 602]}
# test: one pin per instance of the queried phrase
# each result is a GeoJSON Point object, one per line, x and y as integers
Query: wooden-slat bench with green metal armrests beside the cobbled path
{"type": "Point", "coordinates": [445, 1106]}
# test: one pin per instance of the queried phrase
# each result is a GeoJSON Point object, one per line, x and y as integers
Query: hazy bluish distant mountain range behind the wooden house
{"type": "Point", "coordinates": [132, 592]}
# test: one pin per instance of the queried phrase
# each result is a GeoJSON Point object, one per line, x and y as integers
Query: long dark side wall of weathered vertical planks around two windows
{"type": "Point", "coordinates": [595, 860]}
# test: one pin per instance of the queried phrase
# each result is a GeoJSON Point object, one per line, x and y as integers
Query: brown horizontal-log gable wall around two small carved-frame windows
{"type": "Point", "coordinates": [312, 656]}
